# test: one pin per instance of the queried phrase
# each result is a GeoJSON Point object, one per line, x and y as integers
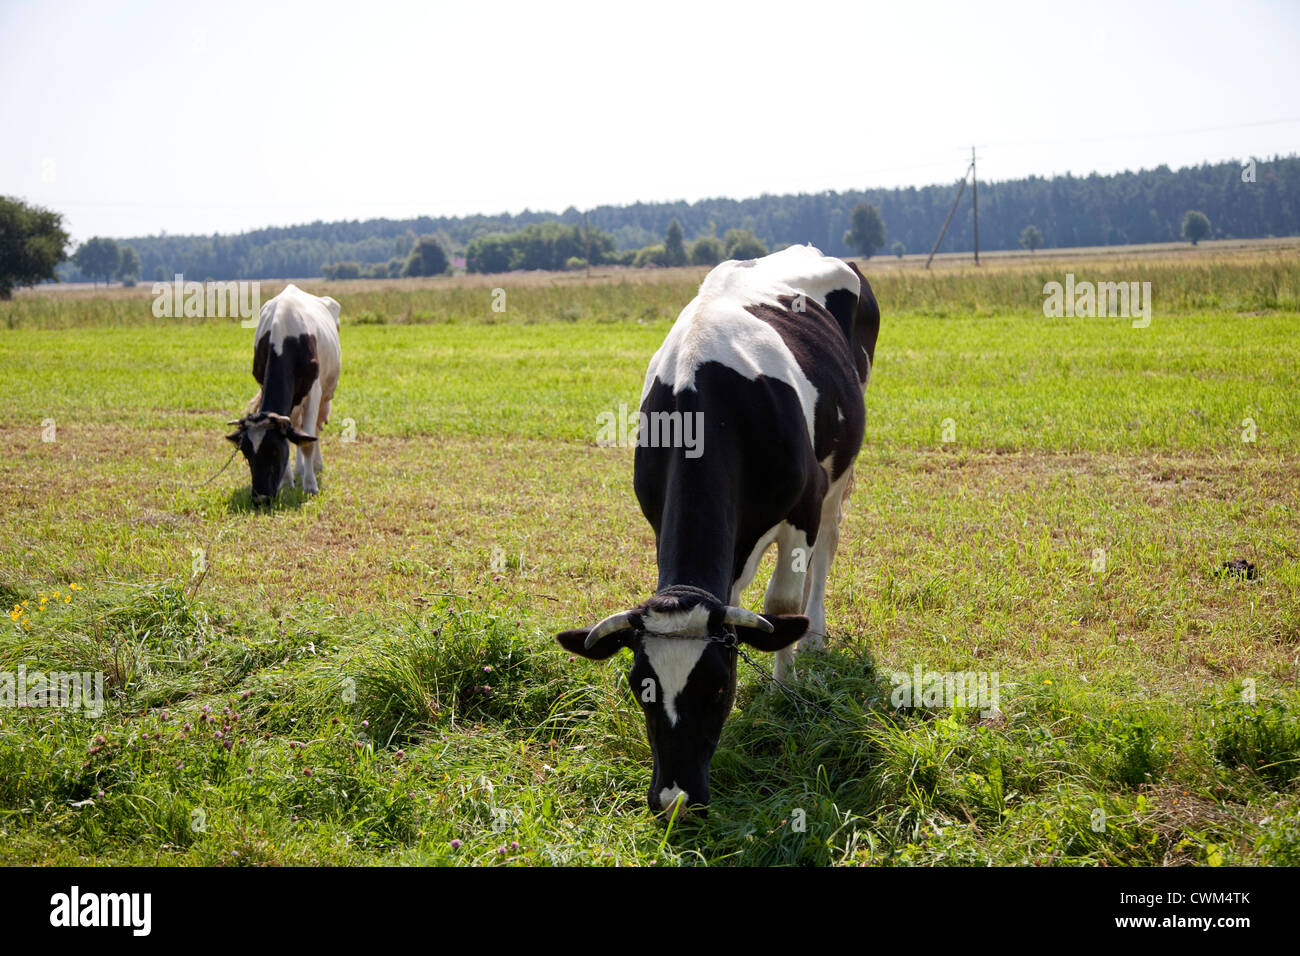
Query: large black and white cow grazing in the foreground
{"type": "Point", "coordinates": [770, 361]}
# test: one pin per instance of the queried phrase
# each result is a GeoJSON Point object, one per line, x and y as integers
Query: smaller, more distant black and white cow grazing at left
{"type": "Point", "coordinates": [297, 364]}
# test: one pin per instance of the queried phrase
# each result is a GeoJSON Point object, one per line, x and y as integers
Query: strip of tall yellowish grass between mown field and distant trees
{"type": "Point", "coordinates": [1230, 283]}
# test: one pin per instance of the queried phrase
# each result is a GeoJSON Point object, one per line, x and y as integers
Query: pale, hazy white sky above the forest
{"type": "Point", "coordinates": [138, 118]}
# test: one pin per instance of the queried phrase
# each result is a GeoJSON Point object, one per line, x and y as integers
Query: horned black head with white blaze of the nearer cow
{"type": "Point", "coordinates": [684, 644]}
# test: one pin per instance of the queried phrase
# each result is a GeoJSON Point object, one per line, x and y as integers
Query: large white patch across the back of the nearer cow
{"type": "Point", "coordinates": [716, 326]}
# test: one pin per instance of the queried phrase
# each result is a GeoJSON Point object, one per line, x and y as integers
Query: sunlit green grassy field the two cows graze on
{"type": "Point", "coordinates": [369, 677]}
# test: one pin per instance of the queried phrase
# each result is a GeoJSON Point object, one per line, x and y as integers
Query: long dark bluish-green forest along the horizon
{"type": "Point", "coordinates": [1241, 200]}
